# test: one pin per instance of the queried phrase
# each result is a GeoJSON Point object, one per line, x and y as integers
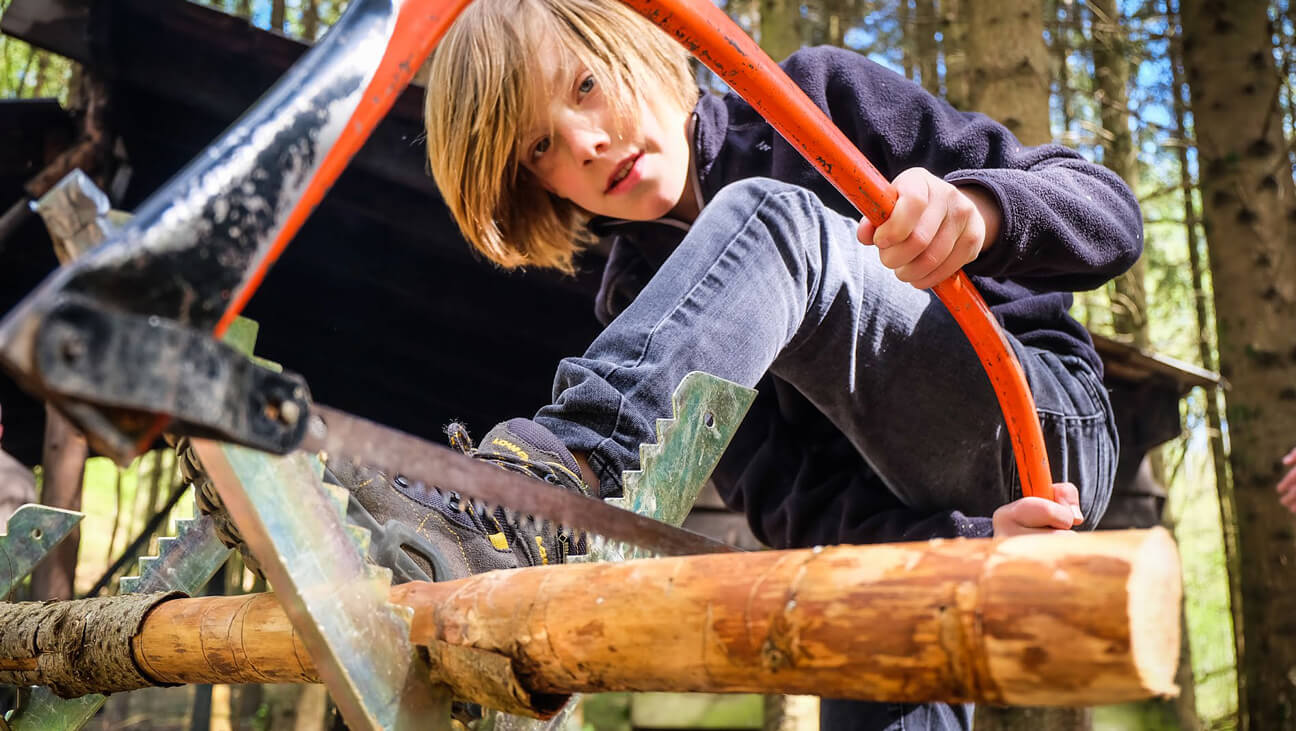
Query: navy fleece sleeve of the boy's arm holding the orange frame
{"type": "Point", "coordinates": [1069, 224]}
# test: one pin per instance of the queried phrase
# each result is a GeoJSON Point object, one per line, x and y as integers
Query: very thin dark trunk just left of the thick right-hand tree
{"type": "Point", "coordinates": [1206, 349]}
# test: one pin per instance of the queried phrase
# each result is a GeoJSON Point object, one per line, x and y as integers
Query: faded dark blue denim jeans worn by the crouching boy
{"type": "Point", "coordinates": [772, 281]}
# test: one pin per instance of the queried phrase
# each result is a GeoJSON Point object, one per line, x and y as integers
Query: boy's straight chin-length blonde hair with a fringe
{"type": "Point", "coordinates": [481, 91]}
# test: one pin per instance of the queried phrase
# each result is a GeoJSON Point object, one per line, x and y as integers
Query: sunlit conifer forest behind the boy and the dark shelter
{"type": "Point", "coordinates": [1196, 107]}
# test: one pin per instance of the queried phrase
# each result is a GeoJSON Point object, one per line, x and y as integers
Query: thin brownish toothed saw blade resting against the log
{"type": "Point", "coordinates": [487, 488]}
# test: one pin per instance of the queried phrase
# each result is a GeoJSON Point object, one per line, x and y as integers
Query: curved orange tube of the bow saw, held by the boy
{"type": "Point", "coordinates": [719, 43]}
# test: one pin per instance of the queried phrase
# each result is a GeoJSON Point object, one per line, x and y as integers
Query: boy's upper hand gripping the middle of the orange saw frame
{"type": "Point", "coordinates": [934, 230]}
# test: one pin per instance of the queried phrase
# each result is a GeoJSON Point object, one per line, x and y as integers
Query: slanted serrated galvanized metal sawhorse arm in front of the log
{"type": "Point", "coordinates": [339, 602]}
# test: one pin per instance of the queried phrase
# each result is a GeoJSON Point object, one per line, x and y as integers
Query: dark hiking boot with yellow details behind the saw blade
{"type": "Point", "coordinates": [431, 535]}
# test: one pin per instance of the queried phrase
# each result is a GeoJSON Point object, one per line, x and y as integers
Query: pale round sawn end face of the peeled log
{"type": "Point", "coordinates": [1155, 593]}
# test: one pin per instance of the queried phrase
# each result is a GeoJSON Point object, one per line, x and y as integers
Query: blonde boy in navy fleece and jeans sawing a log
{"type": "Point", "coordinates": [553, 124]}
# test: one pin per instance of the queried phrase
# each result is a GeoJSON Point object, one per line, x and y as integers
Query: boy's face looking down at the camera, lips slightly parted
{"type": "Point", "coordinates": [576, 150]}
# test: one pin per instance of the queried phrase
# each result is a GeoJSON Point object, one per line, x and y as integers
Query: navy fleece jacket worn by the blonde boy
{"type": "Point", "coordinates": [1067, 225]}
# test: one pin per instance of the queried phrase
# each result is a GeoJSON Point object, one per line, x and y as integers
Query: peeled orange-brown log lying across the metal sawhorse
{"type": "Point", "coordinates": [1043, 620]}
